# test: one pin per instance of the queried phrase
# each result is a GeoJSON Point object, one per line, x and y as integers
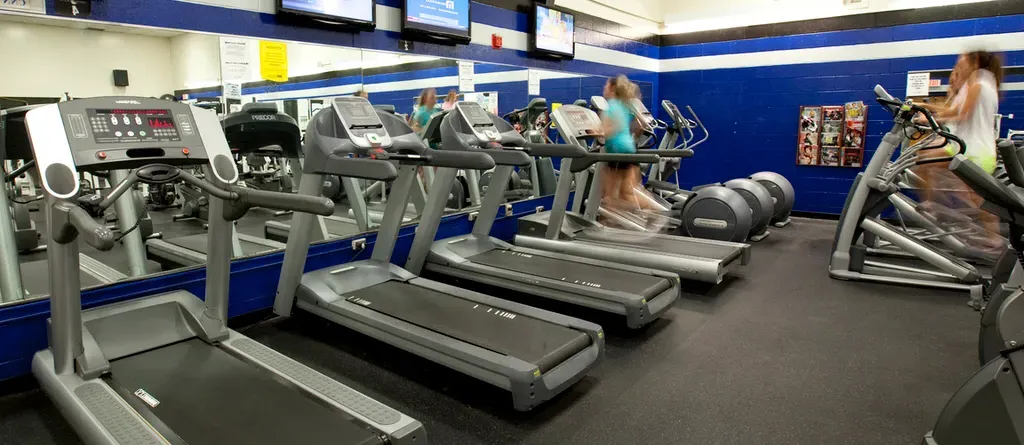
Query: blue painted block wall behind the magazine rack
{"type": "Point", "coordinates": [752, 113]}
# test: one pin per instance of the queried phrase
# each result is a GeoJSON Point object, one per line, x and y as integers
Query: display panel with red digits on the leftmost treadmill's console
{"type": "Point", "coordinates": [115, 126]}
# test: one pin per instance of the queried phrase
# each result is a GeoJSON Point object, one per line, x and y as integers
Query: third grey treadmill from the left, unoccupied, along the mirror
{"type": "Point", "coordinates": [641, 294]}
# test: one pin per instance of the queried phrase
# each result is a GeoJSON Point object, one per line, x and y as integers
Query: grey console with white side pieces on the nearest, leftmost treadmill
{"type": "Point", "coordinates": [108, 133]}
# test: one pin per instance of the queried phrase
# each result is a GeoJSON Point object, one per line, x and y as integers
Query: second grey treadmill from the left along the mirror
{"type": "Point", "coordinates": [534, 354]}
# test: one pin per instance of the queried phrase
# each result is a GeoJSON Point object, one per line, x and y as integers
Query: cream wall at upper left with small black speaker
{"type": "Point", "coordinates": [46, 62]}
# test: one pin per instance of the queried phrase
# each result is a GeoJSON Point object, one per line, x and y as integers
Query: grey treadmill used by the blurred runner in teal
{"type": "Point", "coordinates": [573, 234]}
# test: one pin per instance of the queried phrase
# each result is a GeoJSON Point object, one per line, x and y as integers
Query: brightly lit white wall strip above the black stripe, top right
{"type": "Point", "coordinates": [690, 16]}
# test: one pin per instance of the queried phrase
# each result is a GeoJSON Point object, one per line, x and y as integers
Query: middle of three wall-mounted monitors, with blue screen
{"type": "Point", "coordinates": [443, 21]}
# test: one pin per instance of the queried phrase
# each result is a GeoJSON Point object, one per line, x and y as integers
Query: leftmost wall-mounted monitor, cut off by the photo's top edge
{"type": "Point", "coordinates": [360, 15]}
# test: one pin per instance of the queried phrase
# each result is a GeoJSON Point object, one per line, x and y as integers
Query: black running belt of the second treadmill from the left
{"type": "Point", "coordinates": [528, 339]}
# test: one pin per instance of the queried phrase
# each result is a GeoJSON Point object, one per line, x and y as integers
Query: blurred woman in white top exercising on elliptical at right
{"type": "Point", "coordinates": [970, 114]}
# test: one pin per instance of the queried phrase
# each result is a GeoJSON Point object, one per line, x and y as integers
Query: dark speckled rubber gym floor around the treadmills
{"type": "Point", "coordinates": [782, 354]}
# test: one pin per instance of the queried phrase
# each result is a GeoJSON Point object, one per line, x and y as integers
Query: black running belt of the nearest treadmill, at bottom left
{"type": "Point", "coordinates": [209, 397]}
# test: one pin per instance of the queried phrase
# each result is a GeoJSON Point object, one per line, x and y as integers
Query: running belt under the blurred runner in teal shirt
{"type": "Point", "coordinates": [676, 245]}
